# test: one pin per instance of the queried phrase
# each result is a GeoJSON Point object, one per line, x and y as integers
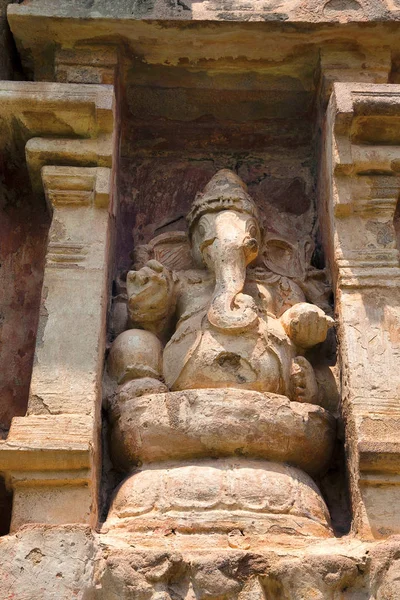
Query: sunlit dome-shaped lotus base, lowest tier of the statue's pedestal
{"type": "Point", "coordinates": [220, 496]}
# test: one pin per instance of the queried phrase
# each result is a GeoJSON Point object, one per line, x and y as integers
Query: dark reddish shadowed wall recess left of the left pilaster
{"type": "Point", "coordinates": [24, 225]}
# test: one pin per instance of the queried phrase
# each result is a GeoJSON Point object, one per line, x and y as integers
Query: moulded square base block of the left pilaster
{"type": "Point", "coordinates": [47, 461]}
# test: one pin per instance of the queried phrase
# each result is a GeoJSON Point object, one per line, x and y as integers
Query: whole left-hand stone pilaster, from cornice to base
{"type": "Point", "coordinates": [51, 457]}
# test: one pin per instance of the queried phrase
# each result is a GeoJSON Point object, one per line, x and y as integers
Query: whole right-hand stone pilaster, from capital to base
{"type": "Point", "coordinates": [360, 188]}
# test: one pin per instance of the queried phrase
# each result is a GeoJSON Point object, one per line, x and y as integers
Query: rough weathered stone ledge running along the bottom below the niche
{"type": "Point", "coordinates": [47, 563]}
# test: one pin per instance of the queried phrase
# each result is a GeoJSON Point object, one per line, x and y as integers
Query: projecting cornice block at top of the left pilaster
{"type": "Point", "coordinates": [57, 124]}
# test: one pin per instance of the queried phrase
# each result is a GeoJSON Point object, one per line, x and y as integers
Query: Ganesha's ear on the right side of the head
{"type": "Point", "coordinates": [283, 258]}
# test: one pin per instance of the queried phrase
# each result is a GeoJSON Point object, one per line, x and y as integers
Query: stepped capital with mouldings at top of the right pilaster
{"type": "Point", "coordinates": [366, 182]}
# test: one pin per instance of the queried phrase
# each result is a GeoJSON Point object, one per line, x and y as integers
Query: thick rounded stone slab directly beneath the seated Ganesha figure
{"type": "Point", "coordinates": [218, 423]}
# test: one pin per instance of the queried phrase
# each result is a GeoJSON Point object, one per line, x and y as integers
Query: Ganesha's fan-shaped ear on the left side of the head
{"type": "Point", "coordinates": [171, 249]}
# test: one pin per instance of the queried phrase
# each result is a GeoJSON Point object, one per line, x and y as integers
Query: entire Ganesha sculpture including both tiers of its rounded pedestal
{"type": "Point", "coordinates": [213, 365]}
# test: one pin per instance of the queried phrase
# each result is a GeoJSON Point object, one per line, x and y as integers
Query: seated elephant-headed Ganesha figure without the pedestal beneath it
{"type": "Point", "coordinates": [232, 329]}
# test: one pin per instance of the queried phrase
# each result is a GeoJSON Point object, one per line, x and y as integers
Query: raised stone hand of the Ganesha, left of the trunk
{"type": "Point", "coordinates": [149, 292]}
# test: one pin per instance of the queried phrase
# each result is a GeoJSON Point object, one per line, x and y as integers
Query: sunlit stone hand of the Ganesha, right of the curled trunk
{"type": "Point", "coordinates": [306, 324]}
